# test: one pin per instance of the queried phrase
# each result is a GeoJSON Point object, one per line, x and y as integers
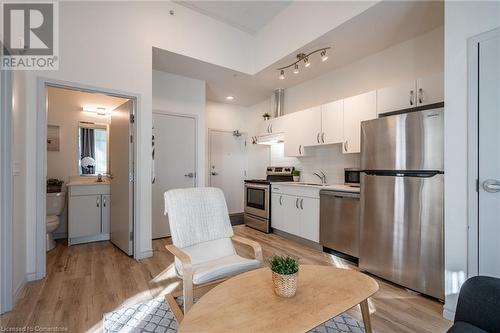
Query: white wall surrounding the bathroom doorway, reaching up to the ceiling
{"type": "Point", "coordinates": [112, 55]}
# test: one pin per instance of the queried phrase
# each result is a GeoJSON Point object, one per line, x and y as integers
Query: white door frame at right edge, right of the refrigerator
{"type": "Point", "coordinates": [473, 150]}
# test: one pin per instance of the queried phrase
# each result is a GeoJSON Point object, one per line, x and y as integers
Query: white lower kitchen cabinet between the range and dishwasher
{"type": "Point", "coordinates": [295, 214]}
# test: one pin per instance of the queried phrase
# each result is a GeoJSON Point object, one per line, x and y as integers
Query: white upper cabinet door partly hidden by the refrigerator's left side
{"type": "Point", "coordinates": [357, 109]}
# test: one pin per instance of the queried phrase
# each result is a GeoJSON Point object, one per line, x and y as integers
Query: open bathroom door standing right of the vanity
{"type": "Point", "coordinates": [122, 186]}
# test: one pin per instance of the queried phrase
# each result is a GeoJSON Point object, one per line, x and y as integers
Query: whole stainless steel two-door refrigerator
{"type": "Point", "coordinates": [402, 200]}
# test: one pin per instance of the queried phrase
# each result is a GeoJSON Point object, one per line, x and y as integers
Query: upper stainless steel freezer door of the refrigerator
{"type": "Point", "coordinates": [410, 141]}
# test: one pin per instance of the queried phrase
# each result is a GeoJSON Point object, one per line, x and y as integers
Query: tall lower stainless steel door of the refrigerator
{"type": "Point", "coordinates": [402, 230]}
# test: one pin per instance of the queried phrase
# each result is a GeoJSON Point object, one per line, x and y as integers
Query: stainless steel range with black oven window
{"type": "Point", "coordinates": [258, 197]}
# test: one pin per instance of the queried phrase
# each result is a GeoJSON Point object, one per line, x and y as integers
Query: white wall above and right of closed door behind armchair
{"type": "Point", "coordinates": [182, 95]}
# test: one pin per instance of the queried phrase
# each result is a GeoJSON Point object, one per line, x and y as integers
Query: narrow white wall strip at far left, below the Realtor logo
{"type": "Point", "coordinates": [19, 183]}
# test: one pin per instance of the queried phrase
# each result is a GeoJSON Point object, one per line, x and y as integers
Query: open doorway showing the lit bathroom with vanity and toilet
{"type": "Point", "coordinates": [86, 189]}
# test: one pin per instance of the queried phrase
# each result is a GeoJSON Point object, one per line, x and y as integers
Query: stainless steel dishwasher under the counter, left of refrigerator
{"type": "Point", "coordinates": [339, 221]}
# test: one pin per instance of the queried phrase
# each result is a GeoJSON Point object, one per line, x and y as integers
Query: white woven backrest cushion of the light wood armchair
{"type": "Point", "coordinates": [197, 215]}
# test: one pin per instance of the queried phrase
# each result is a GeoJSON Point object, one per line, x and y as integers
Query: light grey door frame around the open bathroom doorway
{"type": "Point", "coordinates": [41, 159]}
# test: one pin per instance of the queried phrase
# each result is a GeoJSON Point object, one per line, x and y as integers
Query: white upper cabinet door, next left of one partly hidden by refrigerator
{"type": "Point", "coordinates": [332, 127]}
